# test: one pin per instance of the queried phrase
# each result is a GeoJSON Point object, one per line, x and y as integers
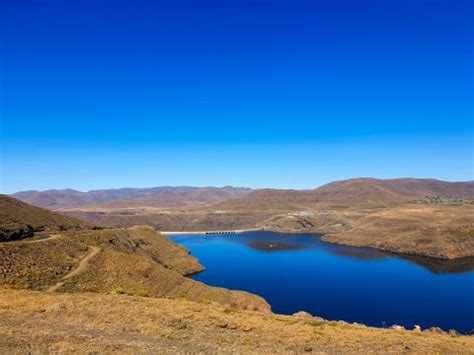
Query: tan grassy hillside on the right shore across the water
{"type": "Point", "coordinates": [436, 231]}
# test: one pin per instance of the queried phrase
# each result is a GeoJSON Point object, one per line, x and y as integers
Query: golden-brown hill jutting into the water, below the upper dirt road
{"type": "Point", "coordinates": [135, 260]}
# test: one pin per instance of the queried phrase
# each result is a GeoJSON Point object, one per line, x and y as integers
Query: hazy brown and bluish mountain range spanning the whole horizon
{"type": "Point", "coordinates": [360, 191]}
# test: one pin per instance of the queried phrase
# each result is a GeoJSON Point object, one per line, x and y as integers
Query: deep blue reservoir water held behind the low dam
{"type": "Point", "coordinates": [299, 272]}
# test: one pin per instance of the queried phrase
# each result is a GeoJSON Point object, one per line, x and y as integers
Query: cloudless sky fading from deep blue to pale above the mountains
{"type": "Point", "coordinates": [294, 94]}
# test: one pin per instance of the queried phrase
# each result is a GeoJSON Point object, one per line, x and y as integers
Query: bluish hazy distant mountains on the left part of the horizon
{"type": "Point", "coordinates": [163, 196]}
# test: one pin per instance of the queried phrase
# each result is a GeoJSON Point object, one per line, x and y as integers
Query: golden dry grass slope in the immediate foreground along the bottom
{"type": "Point", "coordinates": [35, 322]}
